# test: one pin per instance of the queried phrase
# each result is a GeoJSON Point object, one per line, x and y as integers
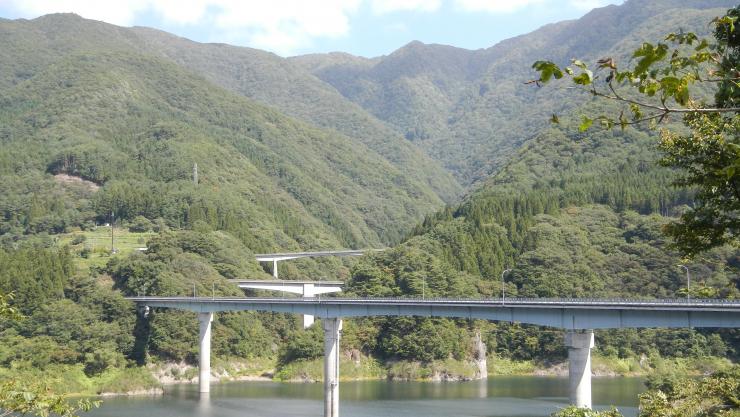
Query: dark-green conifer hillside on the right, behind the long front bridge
{"type": "Point", "coordinates": [571, 216]}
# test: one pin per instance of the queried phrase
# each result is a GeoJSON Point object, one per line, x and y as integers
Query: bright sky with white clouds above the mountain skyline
{"type": "Point", "coordinates": [295, 27]}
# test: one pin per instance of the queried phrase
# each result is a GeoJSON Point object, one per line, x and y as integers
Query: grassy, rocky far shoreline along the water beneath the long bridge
{"type": "Point", "coordinates": [155, 379]}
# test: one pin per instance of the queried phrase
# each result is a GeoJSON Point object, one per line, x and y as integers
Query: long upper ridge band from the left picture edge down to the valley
{"type": "Point", "coordinates": [256, 74]}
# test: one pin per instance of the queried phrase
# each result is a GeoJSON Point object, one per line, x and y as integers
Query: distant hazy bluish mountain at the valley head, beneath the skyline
{"type": "Point", "coordinates": [471, 109]}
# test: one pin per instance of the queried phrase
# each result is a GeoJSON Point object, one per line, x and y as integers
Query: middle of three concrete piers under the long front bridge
{"type": "Point", "coordinates": [332, 334]}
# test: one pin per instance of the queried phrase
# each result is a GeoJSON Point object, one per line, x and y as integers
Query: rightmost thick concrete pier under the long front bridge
{"type": "Point", "coordinates": [579, 344]}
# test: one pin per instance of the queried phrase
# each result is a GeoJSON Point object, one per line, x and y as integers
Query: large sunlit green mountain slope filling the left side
{"type": "Point", "coordinates": [86, 99]}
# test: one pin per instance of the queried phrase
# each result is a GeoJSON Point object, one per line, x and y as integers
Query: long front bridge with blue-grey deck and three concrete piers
{"type": "Point", "coordinates": [578, 316]}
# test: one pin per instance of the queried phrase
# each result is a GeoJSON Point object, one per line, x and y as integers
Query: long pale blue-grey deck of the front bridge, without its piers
{"type": "Point", "coordinates": [560, 313]}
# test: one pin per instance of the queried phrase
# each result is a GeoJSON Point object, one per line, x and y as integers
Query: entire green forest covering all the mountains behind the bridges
{"type": "Point", "coordinates": [149, 131]}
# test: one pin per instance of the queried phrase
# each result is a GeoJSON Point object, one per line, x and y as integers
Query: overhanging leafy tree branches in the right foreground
{"type": "Point", "coordinates": [659, 85]}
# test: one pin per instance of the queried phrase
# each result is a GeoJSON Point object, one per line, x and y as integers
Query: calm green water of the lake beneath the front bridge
{"type": "Point", "coordinates": [499, 396]}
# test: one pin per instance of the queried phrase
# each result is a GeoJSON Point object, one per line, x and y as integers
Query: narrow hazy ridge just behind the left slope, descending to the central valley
{"type": "Point", "coordinates": [274, 81]}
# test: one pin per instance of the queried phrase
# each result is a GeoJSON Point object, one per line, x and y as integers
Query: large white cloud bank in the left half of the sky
{"type": "Point", "coordinates": [282, 26]}
